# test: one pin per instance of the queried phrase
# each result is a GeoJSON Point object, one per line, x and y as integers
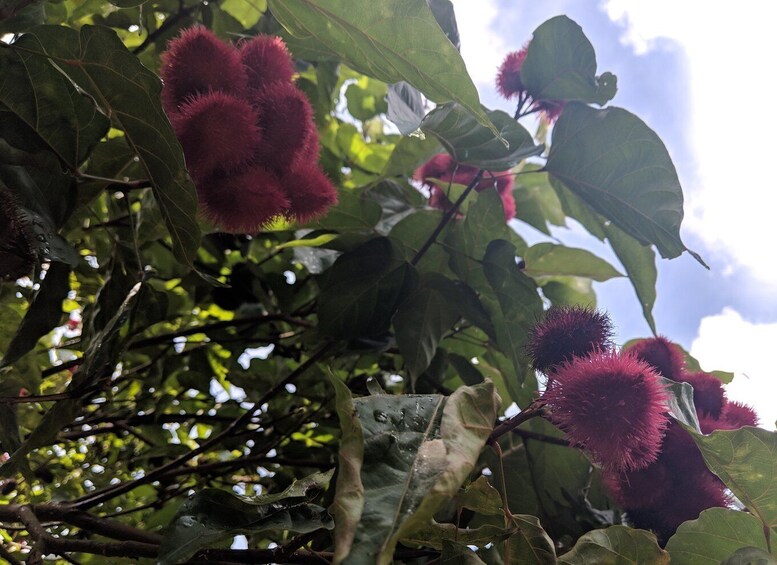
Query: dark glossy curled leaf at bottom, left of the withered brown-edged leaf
{"type": "Point", "coordinates": [212, 515]}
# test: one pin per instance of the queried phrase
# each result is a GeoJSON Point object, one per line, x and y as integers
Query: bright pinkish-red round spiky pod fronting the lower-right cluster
{"type": "Point", "coordinates": [612, 405]}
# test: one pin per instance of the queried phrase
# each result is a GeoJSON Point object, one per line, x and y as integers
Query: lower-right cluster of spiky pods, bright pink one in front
{"type": "Point", "coordinates": [613, 404]}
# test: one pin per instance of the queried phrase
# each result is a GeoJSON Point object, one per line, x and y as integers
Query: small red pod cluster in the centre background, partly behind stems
{"type": "Point", "coordinates": [442, 170]}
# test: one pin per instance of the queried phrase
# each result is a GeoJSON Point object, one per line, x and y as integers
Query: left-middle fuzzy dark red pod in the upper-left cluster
{"type": "Point", "coordinates": [218, 132]}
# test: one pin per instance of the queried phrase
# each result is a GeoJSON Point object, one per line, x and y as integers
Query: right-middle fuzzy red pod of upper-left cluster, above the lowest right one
{"type": "Point", "coordinates": [286, 123]}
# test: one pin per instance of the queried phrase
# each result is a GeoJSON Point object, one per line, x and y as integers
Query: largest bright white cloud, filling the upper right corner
{"type": "Point", "coordinates": [729, 53]}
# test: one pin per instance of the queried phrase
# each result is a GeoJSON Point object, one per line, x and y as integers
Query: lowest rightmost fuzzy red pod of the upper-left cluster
{"type": "Point", "coordinates": [309, 191]}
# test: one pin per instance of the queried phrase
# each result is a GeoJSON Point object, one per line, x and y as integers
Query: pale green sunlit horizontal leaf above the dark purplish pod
{"type": "Point", "coordinates": [549, 259]}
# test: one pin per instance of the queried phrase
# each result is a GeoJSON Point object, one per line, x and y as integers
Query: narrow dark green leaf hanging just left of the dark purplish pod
{"type": "Point", "coordinates": [520, 307]}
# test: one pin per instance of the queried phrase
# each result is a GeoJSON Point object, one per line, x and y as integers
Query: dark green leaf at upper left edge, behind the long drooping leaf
{"type": "Point", "coordinates": [37, 100]}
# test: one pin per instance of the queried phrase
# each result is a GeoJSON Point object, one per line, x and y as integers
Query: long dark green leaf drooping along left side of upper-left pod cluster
{"type": "Point", "coordinates": [96, 59]}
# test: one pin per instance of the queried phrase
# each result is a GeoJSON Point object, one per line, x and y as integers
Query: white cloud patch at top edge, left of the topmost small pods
{"type": "Point", "coordinates": [481, 48]}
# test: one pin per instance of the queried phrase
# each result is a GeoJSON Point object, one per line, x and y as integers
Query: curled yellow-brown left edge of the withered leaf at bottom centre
{"type": "Point", "coordinates": [349, 494]}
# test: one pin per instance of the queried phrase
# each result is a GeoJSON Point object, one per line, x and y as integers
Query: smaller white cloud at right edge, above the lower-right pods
{"type": "Point", "coordinates": [727, 342]}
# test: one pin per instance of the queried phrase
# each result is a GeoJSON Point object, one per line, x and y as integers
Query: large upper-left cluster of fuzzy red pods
{"type": "Point", "coordinates": [247, 131]}
